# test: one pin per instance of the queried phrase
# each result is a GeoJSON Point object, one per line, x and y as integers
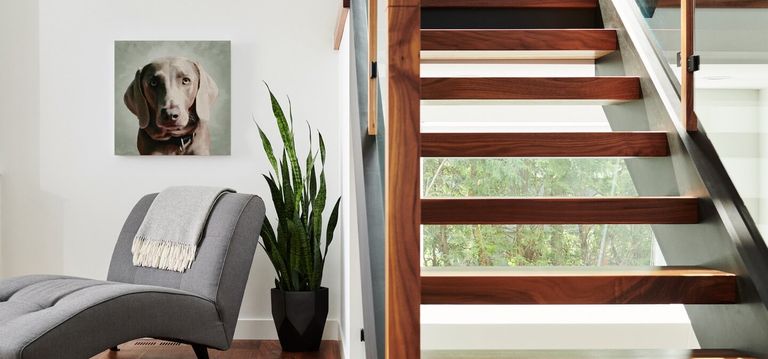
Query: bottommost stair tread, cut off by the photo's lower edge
{"type": "Point", "coordinates": [585, 354]}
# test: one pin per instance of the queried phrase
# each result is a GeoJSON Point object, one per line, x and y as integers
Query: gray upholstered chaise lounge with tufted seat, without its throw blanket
{"type": "Point", "coordinates": [65, 317]}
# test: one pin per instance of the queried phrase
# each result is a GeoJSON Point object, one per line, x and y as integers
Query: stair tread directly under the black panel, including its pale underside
{"type": "Point", "coordinates": [493, 44]}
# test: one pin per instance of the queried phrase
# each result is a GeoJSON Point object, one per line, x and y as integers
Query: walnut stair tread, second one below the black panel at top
{"type": "Point", "coordinates": [619, 88]}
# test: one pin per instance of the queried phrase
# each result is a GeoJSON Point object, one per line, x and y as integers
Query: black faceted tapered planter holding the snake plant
{"type": "Point", "coordinates": [300, 318]}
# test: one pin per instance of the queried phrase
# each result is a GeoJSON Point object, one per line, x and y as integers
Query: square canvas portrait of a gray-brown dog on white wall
{"type": "Point", "coordinates": [172, 97]}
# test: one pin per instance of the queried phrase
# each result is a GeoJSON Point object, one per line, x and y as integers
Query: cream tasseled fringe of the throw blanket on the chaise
{"type": "Point", "coordinates": [162, 254]}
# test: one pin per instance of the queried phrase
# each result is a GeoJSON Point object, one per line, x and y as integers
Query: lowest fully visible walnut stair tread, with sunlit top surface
{"type": "Point", "coordinates": [580, 286]}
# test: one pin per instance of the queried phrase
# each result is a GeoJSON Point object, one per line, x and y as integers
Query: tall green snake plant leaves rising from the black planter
{"type": "Point", "coordinates": [296, 249]}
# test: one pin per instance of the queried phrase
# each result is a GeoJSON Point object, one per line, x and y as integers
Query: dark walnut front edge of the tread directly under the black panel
{"type": "Point", "coordinates": [537, 40]}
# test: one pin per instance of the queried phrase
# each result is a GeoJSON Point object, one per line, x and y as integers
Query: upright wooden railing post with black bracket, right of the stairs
{"type": "Point", "coordinates": [687, 10]}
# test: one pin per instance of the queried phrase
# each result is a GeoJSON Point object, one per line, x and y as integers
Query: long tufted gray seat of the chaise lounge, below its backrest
{"type": "Point", "coordinates": [66, 317]}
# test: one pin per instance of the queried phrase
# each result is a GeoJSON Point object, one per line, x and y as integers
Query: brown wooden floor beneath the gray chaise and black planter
{"type": "Point", "coordinates": [241, 349]}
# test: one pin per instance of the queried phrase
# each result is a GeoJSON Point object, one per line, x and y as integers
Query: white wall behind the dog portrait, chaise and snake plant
{"type": "Point", "coordinates": [65, 195]}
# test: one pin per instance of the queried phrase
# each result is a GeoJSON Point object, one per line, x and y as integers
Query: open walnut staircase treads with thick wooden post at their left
{"type": "Point", "coordinates": [408, 285]}
